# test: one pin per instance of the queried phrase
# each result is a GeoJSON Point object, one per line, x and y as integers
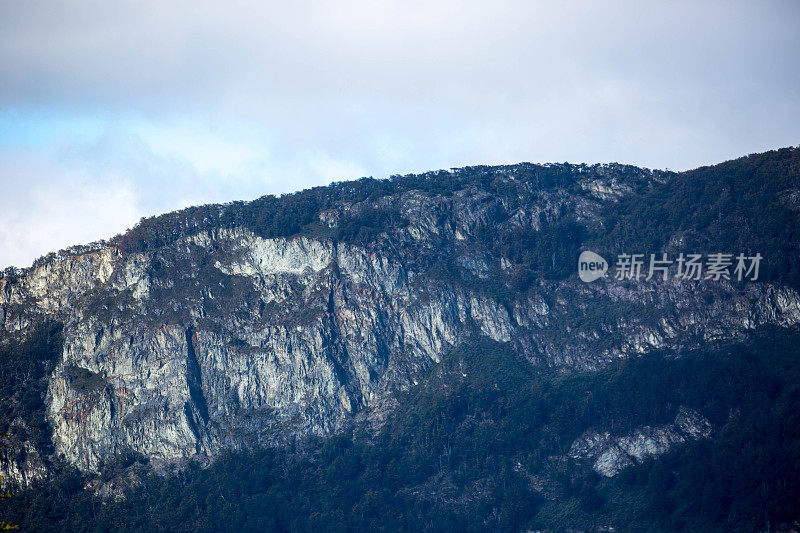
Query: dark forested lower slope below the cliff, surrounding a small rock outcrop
{"type": "Point", "coordinates": [459, 455]}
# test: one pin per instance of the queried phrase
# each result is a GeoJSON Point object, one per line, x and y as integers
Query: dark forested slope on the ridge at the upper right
{"type": "Point", "coordinates": [746, 205]}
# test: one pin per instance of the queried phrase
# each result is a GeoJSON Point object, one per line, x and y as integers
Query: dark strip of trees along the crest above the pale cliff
{"type": "Point", "coordinates": [292, 214]}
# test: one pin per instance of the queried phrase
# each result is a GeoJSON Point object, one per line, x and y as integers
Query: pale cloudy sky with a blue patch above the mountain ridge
{"type": "Point", "coordinates": [110, 111]}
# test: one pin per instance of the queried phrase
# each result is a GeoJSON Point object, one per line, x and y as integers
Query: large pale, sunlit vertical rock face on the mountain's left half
{"type": "Point", "coordinates": [285, 336]}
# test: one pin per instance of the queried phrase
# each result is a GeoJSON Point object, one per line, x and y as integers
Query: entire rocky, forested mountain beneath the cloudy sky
{"type": "Point", "coordinates": [418, 353]}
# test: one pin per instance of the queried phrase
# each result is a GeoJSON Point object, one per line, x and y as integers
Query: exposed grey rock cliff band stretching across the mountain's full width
{"type": "Point", "coordinates": [223, 338]}
